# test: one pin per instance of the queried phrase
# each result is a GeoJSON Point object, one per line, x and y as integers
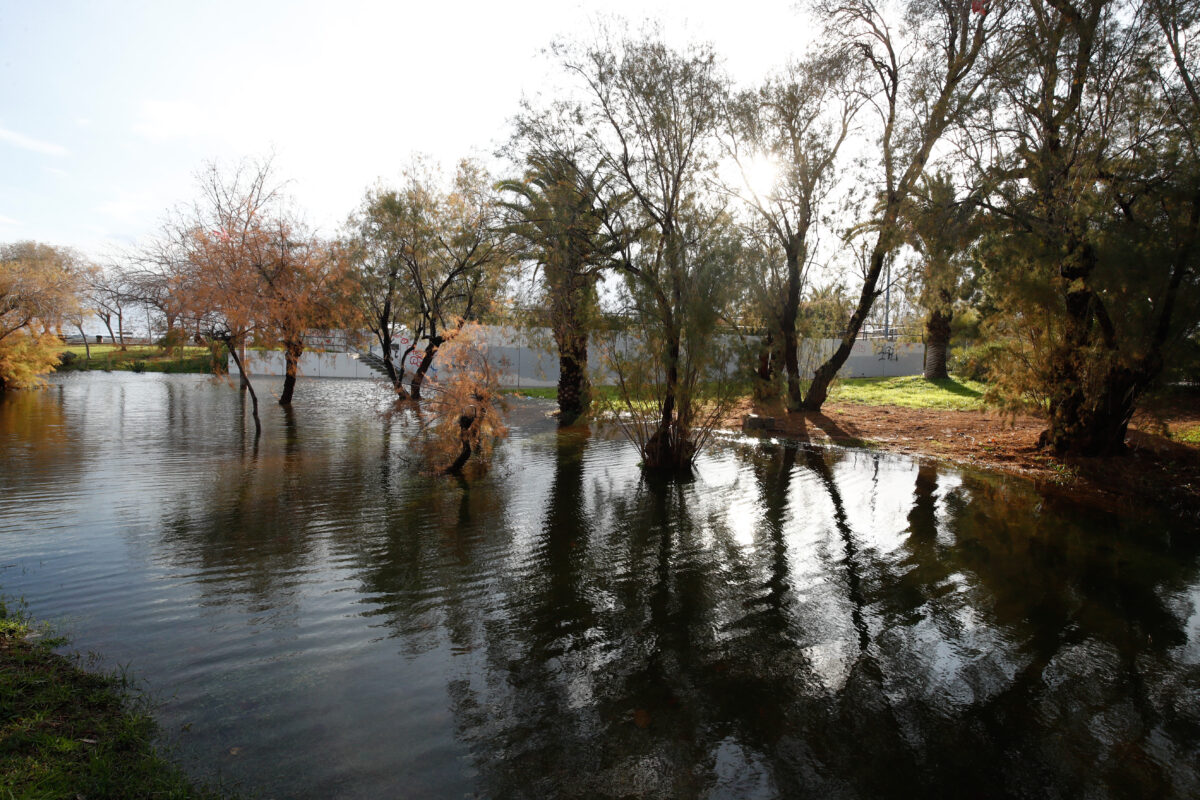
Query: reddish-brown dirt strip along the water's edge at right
{"type": "Point", "coordinates": [1156, 468]}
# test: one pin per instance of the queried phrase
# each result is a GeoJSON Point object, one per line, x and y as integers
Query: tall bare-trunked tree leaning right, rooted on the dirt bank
{"type": "Point", "coordinates": [917, 95]}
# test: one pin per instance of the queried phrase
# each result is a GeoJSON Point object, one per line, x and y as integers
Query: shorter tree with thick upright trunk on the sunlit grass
{"type": "Point", "coordinates": [941, 227]}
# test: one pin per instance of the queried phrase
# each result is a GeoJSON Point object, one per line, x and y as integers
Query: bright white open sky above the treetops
{"type": "Point", "coordinates": [109, 110]}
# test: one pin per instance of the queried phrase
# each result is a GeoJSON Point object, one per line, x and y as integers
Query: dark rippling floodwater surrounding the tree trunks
{"type": "Point", "coordinates": [321, 621]}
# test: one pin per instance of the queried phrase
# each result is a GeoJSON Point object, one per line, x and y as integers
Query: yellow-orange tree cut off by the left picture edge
{"type": "Point", "coordinates": [39, 290]}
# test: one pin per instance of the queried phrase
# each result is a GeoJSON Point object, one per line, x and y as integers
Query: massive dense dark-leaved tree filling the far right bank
{"type": "Point", "coordinates": [1096, 207]}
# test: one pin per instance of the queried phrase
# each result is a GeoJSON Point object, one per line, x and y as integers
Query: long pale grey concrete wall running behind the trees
{"type": "Point", "coordinates": [527, 359]}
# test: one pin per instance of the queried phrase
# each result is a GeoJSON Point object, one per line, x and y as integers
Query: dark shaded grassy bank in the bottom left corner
{"type": "Point", "coordinates": [69, 733]}
